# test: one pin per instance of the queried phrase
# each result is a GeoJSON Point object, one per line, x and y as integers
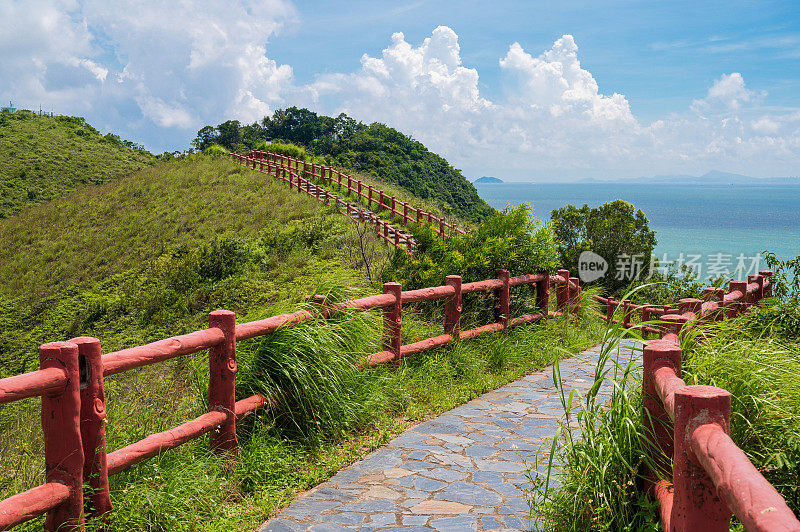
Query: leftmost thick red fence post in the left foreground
{"type": "Point", "coordinates": [63, 449]}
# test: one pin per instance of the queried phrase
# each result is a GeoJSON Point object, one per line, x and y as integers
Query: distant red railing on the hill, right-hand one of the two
{"type": "Point", "coordinates": [356, 188]}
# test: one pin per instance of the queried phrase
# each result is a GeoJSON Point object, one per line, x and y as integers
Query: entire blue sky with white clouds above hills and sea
{"type": "Point", "coordinates": [525, 91]}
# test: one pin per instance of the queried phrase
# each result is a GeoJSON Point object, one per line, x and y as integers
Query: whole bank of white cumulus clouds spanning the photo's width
{"type": "Point", "coordinates": [158, 71]}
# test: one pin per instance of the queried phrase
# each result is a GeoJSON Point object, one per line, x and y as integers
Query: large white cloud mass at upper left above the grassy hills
{"type": "Point", "coordinates": [132, 64]}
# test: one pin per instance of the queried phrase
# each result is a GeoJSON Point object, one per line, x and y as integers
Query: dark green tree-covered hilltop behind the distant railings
{"type": "Point", "coordinates": [374, 149]}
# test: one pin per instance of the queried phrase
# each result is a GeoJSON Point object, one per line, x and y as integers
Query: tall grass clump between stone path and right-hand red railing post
{"type": "Point", "coordinates": [591, 476]}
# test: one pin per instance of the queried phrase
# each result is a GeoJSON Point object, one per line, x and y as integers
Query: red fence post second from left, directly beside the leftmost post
{"type": "Point", "coordinates": [93, 425]}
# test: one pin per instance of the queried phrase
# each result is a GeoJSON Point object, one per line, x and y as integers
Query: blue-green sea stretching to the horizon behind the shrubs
{"type": "Point", "coordinates": [709, 228]}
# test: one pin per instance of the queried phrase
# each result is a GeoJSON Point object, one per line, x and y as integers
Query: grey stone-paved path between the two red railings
{"type": "Point", "coordinates": [464, 470]}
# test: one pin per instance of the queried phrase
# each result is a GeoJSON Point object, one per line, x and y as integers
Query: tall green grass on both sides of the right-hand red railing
{"type": "Point", "coordinates": [600, 469]}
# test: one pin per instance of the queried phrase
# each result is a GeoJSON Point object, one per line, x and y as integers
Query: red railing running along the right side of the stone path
{"type": "Point", "coordinates": [712, 478]}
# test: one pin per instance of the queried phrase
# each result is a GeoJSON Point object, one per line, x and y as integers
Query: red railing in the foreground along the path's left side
{"type": "Point", "coordinates": [73, 410]}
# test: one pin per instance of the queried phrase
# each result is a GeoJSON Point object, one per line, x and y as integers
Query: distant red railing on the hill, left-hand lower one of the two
{"type": "Point", "coordinates": [387, 232]}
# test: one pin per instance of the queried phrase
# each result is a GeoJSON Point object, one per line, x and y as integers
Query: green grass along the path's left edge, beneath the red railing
{"type": "Point", "coordinates": [333, 415]}
